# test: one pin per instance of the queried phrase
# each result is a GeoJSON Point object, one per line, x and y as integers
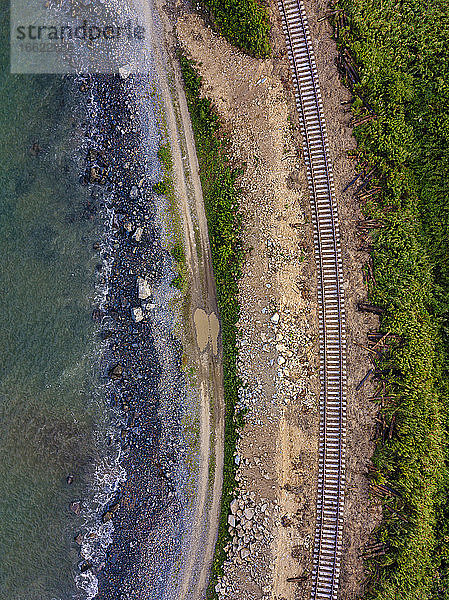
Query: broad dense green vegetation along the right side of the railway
{"type": "Point", "coordinates": [401, 90]}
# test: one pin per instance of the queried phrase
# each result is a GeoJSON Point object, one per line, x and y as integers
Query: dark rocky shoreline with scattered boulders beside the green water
{"type": "Point", "coordinates": [141, 362]}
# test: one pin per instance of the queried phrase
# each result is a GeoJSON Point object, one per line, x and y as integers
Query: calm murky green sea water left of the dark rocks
{"type": "Point", "coordinates": [47, 337]}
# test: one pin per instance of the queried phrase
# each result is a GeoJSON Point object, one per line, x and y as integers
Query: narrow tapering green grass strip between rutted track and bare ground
{"type": "Point", "coordinates": [218, 180]}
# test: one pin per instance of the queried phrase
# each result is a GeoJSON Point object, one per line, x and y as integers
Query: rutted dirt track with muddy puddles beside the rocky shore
{"type": "Point", "coordinates": [201, 342]}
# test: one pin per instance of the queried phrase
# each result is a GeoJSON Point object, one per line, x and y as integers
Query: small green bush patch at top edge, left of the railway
{"type": "Point", "coordinates": [243, 22]}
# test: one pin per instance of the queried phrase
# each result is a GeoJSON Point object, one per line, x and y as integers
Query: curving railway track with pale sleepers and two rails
{"type": "Point", "coordinates": [331, 478]}
